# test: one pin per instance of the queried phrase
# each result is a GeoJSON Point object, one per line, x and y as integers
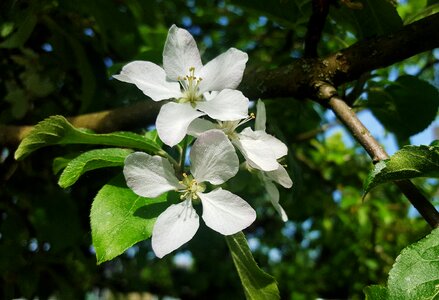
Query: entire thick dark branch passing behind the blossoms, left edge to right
{"type": "Point", "coordinates": [299, 79]}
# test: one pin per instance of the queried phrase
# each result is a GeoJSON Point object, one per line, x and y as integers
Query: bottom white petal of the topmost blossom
{"type": "Point", "coordinates": [173, 121]}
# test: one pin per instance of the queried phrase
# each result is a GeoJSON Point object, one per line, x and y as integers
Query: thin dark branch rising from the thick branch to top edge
{"type": "Point", "coordinates": [320, 10]}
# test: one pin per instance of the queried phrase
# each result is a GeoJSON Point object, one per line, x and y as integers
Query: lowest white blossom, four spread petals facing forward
{"type": "Point", "coordinates": [214, 160]}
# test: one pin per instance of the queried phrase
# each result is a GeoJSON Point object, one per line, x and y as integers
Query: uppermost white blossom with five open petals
{"type": "Point", "coordinates": [185, 79]}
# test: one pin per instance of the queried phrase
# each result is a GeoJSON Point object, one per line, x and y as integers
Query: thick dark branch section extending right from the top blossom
{"type": "Point", "coordinates": [296, 79]}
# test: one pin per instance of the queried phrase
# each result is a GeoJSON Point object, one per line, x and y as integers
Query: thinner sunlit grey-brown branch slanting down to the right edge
{"type": "Point", "coordinates": [376, 152]}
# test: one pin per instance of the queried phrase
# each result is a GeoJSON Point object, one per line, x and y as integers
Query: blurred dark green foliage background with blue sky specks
{"type": "Point", "coordinates": [57, 58]}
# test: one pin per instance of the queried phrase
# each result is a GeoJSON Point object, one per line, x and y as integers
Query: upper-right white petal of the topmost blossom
{"type": "Point", "coordinates": [223, 72]}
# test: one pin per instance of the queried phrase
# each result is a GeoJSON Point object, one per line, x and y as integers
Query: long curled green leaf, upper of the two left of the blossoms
{"type": "Point", "coordinates": [56, 130]}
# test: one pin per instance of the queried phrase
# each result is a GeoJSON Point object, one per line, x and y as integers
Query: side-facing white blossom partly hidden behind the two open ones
{"type": "Point", "coordinates": [261, 151]}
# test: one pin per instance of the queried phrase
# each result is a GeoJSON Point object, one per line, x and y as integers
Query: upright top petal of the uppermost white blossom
{"type": "Point", "coordinates": [180, 53]}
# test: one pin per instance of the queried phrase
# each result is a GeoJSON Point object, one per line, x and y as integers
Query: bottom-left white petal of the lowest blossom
{"type": "Point", "coordinates": [174, 227]}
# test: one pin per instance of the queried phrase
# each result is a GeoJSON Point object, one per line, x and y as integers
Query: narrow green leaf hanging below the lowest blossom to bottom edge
{"type": "Point", "coordinates": [257, 284]}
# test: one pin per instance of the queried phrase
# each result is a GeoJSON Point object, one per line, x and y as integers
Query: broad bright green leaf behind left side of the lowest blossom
{"type": "Point", "coordinates": [119, 218]}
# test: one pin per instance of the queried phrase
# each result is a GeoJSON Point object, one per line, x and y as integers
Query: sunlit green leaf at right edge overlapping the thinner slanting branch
{"type": "Point", "coordinates": [407, 163]}
